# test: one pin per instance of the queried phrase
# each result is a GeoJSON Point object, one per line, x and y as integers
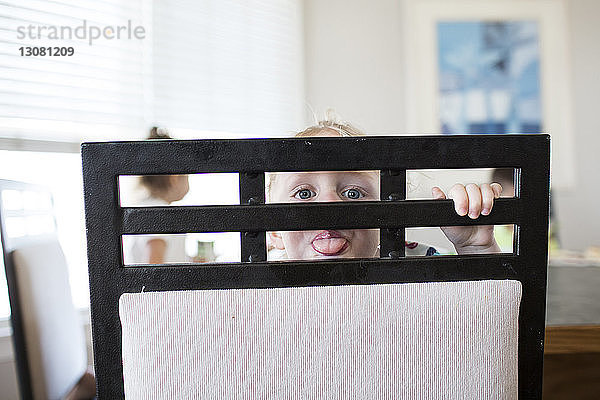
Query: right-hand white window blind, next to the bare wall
{"type": "Point", "coordinates": [228, 66]}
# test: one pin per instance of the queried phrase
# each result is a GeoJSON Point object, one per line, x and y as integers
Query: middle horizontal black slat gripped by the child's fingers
{"type": "Point", "coordinates": [302, 216]}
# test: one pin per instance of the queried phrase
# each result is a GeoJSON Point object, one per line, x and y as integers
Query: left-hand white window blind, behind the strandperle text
{"type": "Point", "coordinates": [98, 93]}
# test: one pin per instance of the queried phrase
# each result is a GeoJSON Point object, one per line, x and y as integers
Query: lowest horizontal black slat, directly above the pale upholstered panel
{"type": "Point", "coordinates": [346, 272]}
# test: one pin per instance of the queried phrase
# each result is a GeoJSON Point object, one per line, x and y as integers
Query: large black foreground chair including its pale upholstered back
{"type": "Point", "coordinates": [469, 326]}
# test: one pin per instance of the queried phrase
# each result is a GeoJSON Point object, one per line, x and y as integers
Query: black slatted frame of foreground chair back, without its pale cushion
{"type": "Point", "coordinates": [107, 221]}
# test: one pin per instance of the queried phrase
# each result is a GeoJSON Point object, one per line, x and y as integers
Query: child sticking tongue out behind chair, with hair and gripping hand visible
{"type": "Point", "coordinates": [288, 187]}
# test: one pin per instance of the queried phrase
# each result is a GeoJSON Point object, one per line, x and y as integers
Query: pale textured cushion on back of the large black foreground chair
{"type": "Point", "coordinates": [408, 341]}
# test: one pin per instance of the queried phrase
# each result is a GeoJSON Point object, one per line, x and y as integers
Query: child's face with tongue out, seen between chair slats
{"type": "Point", "coordinates": [290, 187]}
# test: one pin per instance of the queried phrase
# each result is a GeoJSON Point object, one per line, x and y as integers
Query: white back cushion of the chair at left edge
{"type": "Point", "coordinates": [56, 347]}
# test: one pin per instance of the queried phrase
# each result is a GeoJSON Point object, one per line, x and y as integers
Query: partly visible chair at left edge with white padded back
{"type": "Point", "coordinates": [49, 341]}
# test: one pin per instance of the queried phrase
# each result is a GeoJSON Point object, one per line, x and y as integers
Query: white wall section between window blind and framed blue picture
{"type": "Point", "coordinates": [353, 61]}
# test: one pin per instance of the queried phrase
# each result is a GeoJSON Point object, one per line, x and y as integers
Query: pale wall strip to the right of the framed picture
{"type": "Point", "coordinates": [578, 210]}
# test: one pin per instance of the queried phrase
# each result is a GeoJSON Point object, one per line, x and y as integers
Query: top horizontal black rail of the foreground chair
{"type": "Point", "coordinates": [316, 154]}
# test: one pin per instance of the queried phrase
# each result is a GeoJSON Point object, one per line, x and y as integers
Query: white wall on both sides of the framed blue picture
{"type": "Point", "coordinates": [354, 64]}
